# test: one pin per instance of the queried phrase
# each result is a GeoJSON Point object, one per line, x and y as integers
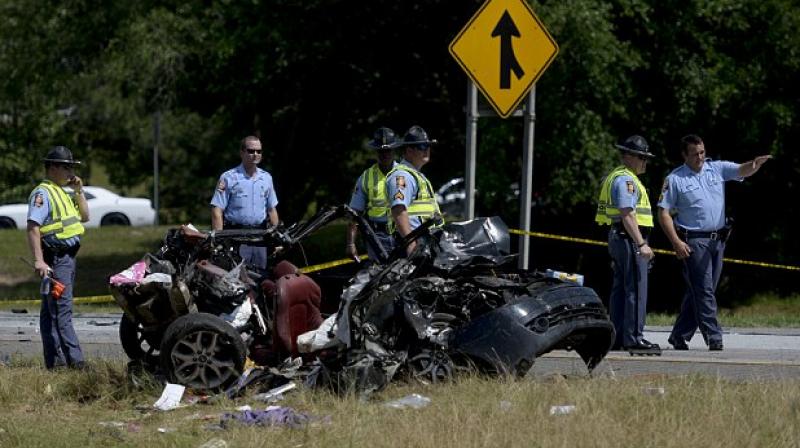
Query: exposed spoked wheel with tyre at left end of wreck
{"type": "Point", "coordinates": [203, 352]}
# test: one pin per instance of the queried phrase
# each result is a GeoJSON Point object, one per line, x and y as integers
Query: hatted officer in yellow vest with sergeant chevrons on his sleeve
{"type": "Point", "coordinates": [410, 193]}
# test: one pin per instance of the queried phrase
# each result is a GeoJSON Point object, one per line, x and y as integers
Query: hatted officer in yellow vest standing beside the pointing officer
{"type": "Point", "coordinates": [624, 206]}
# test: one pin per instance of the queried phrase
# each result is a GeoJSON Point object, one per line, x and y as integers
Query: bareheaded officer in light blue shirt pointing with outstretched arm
{"type": "Point", "coordinates": [692, 214]}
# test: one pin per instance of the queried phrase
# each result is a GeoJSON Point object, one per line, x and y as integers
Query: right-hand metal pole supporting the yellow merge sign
{"type": "Point", "coordinates": [526, 187]}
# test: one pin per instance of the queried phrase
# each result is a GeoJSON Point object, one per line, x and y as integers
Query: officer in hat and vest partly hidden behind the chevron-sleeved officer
{"type": "Point", "coordinates": [369, 194]}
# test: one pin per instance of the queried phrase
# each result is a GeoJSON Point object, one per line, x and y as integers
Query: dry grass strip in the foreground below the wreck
{"type": "Point", "coordinates": [66, 409]}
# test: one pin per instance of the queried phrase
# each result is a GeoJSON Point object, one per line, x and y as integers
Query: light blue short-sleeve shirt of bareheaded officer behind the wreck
{"type": "Point", "coordinates": [243, 199]}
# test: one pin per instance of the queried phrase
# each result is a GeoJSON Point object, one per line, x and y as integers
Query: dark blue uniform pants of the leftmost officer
{"type": "Point", "coordinates": [59, 341]}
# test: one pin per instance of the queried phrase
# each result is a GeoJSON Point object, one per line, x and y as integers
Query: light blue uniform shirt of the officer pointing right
{"type": "Point", "coordinates": [697, 200]}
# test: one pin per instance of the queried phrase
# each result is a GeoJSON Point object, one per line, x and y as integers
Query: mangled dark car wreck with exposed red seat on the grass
{"type": "Point", "coordinates": [457, 303]}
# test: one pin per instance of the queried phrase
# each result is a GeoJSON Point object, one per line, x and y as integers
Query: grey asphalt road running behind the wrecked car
{"type": "Point", "coordinates": [750, 354]}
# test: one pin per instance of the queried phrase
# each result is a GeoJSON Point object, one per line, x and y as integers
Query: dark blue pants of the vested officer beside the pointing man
{"type": "Point", "coordinates": [628, 301]}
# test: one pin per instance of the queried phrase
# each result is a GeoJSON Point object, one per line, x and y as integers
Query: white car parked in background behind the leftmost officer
{"type": "Point", "coordinates": [105, 209]}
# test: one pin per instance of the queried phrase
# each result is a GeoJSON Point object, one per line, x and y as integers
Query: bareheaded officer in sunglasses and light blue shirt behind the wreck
{"type": "Point", "coordinates": [245, 199]}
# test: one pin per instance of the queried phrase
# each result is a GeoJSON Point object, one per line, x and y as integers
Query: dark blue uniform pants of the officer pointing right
{"type": "Point", "coordinates": [701, 273]}
